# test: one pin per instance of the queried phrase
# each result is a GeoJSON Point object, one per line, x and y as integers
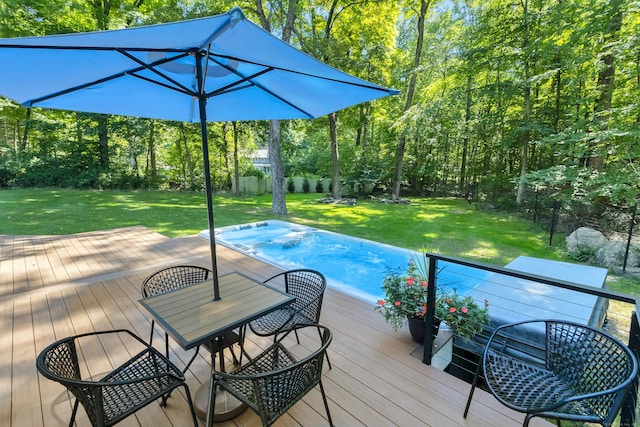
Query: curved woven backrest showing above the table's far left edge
{"type": "Point", "coordinates": [171, 278]}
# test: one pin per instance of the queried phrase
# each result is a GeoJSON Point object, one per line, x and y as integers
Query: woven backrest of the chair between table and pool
{"type": "Point", "coordinates": [308, 287]}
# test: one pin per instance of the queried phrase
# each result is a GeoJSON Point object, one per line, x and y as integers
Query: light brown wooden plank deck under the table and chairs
{"type": "Point", "coordinates": [55, 286]}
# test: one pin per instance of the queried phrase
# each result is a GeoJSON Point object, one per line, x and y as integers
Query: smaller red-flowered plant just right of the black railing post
{"type": "Point", "coordinates": [463, 314]}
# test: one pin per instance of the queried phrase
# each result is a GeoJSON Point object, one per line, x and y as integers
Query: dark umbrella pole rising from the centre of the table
{"type": "Point", "coordinates": [202, 104]}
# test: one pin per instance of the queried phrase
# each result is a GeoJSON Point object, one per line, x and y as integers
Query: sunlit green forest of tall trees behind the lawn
{"type": "Point", "coordinates": [502, 101]}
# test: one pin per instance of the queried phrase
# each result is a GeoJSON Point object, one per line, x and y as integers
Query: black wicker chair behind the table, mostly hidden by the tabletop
{"type": "Point", "coordinates": [176, 277]}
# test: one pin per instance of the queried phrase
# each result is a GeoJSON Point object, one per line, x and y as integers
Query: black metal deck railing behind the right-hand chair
{"type": "Point", "coordinates": [604, 313]}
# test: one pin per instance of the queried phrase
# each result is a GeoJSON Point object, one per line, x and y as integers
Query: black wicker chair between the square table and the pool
{"type": "Point", "coordinates": [308, 287]}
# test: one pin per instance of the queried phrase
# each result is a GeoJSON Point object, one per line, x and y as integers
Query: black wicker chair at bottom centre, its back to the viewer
{"type": "Point", "coordinates": [274, 381]}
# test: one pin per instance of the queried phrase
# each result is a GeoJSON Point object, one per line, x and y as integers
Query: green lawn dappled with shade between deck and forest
{"type": "Point", "coordinates": [450, 226]}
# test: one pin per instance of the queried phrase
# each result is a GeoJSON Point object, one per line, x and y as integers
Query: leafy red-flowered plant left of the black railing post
{"type": "Point", "coordinates": [406, 294]}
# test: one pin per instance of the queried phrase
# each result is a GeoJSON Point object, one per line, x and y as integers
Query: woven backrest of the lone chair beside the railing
{"type": "Point", "coordinates": [591, 361]}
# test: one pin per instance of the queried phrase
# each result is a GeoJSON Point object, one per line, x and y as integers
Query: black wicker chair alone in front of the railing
{"type": "Point", "coordinates": [557, 370]}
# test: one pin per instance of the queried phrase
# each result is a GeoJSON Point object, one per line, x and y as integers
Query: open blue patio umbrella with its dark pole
{"type": "Point", "coordinates": [219, 68]}
